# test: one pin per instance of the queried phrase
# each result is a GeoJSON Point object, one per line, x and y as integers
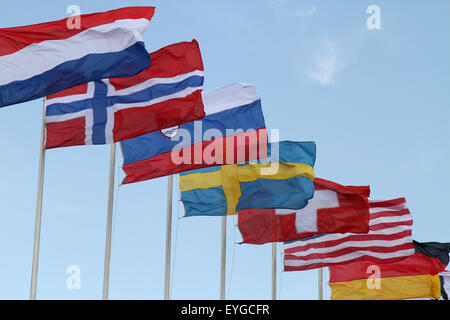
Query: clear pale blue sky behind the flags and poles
{"type": "Point", "coordinates": [376, 102]}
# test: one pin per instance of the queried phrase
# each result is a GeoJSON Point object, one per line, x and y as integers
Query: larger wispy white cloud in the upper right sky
{"type": "Point", "coordinates": [325, 63]}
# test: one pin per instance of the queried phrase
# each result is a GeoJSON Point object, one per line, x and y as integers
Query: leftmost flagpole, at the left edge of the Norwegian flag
{"type": "Point", "coordinates": [37, 224]}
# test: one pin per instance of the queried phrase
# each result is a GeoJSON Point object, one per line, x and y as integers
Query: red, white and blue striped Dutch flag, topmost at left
{"type": "Point", "coordinates": [43, 59]}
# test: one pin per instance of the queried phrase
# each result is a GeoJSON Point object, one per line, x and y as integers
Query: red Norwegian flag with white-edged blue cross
{"type": "Point", "coordinates": [106, 111]}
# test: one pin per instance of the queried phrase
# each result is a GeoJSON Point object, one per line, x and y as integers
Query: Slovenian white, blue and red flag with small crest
{"type": "Point", "coordinates": [232, 131]}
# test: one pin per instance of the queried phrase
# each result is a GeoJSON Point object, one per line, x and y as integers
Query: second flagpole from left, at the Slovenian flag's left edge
{"type": "Point", "coordinates": [112, 164]}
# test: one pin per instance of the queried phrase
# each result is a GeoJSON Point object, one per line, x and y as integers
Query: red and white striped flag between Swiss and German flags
{"type": "Point", "coordinates": [388, 240]}
